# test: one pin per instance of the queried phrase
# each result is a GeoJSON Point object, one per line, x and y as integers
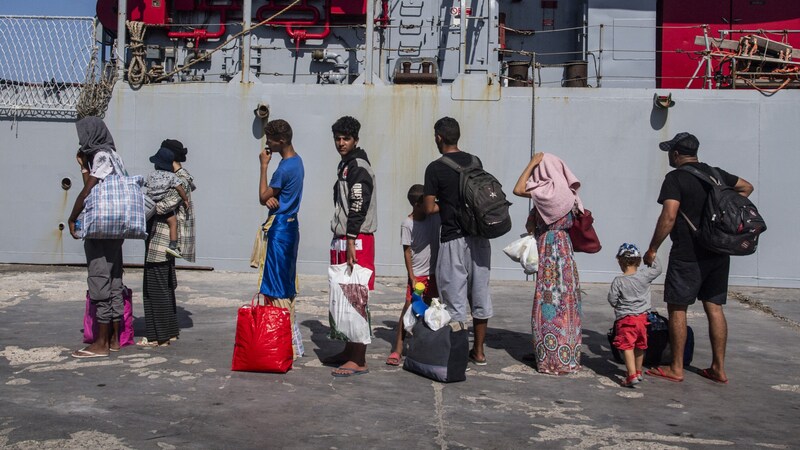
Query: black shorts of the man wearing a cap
{"type": "Point", "coordinates": [705, 280]}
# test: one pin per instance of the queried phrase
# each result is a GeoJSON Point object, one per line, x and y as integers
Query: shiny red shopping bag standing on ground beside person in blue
{"type": "Point", "coordinates": [263, 338]}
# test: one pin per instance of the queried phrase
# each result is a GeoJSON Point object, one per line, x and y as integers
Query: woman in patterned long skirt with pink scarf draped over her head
{"type": "Point", "coordinates": [556, 316]}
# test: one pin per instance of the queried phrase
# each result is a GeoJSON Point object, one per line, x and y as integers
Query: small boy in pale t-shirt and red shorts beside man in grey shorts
{"type": "Point", "coordinates": [419, 235]}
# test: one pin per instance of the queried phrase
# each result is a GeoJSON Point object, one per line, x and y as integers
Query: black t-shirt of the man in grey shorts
{"type": "Point", "coordinates": [442, 182]}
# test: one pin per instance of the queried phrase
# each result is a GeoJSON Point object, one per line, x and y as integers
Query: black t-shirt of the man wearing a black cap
{"type": "Point", "coordinates": [691, 193]}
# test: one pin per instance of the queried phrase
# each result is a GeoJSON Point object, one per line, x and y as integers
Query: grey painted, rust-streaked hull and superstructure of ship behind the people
{"type": "Point", "coordinates": [606, 132]}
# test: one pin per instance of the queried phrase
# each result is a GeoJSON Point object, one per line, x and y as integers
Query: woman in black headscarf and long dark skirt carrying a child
{"type": "Point", "coordinates": [159, 278]}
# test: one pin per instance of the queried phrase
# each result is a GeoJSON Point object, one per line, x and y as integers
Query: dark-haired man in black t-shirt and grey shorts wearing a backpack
{"type": "Point", "coordinates": [464, 260]}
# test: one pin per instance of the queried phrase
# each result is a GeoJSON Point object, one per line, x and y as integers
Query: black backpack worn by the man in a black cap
{"type": "Point", "coordinates": [730, 223]}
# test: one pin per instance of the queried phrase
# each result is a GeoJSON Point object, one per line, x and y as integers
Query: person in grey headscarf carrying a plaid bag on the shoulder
{"type": "Point", "coordinates": [98, 159]}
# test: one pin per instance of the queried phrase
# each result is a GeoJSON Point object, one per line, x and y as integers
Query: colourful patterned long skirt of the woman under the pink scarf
{"type": "Point", "coordinates": [556, 317]}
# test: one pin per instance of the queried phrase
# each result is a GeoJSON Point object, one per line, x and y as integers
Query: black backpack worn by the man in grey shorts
{"type": "Point", "coordinates": [484, 208]}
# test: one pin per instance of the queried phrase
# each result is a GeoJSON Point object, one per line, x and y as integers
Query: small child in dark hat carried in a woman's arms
{"type": "Point", "coordinates": [159, 183]}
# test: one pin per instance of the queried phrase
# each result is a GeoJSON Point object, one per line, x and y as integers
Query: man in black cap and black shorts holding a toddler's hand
{"type": "Point", "coordinates": [693, 271]}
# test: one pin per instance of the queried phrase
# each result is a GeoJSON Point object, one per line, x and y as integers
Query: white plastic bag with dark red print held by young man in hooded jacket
{"type": "Point", "coordinates": [349, 303]}
